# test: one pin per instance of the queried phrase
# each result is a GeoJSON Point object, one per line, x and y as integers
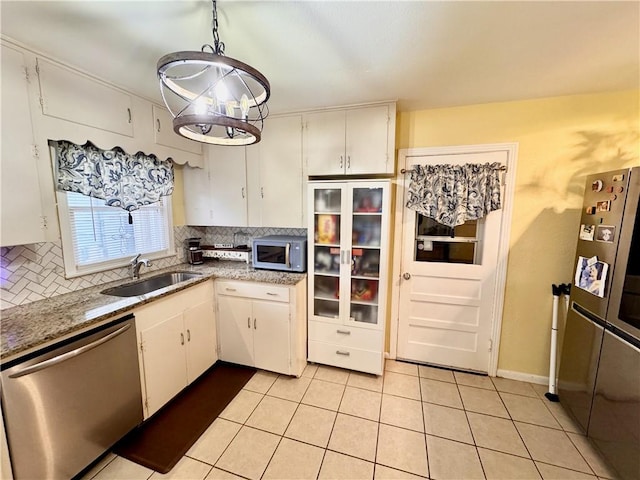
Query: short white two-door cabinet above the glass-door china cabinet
{"type": "Point", "coordinates": [355, 141]}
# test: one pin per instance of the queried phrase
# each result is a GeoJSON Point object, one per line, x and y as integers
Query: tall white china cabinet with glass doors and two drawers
{"type": "Point", "coordinates": [348, 273]}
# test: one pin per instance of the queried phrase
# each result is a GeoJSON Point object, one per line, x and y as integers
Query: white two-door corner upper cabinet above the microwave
{"type": "Point", "coordinates": [259, 185]}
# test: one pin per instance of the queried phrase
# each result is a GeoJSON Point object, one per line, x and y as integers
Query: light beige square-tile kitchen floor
{"type": "Point", "coordinates": [414, 422]}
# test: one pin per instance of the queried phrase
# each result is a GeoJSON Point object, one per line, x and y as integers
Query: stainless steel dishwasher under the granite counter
{"type": "Point", "coordinates": [65, 406]}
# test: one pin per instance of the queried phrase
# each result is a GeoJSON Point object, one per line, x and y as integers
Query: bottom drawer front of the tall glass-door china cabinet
{"type": "Point", "coordinates": [346, 357]}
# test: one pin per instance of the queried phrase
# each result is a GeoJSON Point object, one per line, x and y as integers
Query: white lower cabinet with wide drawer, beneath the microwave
{"type": "Point", "coordinates": [262, 325]}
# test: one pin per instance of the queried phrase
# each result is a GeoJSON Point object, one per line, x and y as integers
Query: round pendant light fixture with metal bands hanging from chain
{"type": "Point", "coordinates": [213, 98]}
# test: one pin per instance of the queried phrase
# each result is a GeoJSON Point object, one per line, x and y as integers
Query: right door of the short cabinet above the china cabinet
{"type": "Point", "coordinates": [367, 141]}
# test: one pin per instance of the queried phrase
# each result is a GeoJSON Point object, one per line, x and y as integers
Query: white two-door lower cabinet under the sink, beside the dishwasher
{"type": "Point", "coordinates": [177, 343]}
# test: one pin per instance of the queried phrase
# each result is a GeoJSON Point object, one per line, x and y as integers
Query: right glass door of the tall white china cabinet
{"type": "Point", "coordinates": [365, 241]}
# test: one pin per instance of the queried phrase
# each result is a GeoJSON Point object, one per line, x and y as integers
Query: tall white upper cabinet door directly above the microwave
{"type": "Point", "coordinates": [274, 175]}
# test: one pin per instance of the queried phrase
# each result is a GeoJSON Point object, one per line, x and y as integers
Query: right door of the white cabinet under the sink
{"type": "Point", "coordinates": [200, 332]}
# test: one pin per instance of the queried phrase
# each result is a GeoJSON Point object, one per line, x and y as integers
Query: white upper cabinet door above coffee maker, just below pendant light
{"type": "Point", "coordinates": [228, 195]}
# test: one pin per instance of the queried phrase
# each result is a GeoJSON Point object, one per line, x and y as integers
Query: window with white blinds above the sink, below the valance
{"type": "Point", "coordinates": [96, 237]}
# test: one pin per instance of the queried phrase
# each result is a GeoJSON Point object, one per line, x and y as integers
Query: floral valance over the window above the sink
{"type": "Point", "coordinates": [120, 179]}
